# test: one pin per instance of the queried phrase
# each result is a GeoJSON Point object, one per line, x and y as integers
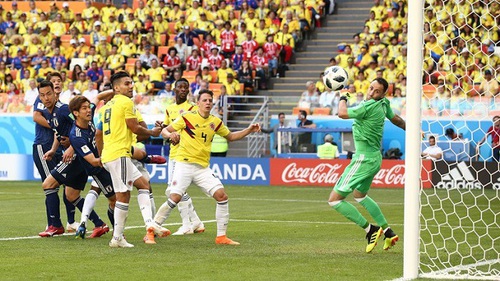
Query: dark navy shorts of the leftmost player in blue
{"type": "Point", "coordinates": [70, 174]}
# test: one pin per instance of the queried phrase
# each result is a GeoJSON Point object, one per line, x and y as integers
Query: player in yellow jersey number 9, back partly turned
{"type": "Point", "coordinates": [119, 124]}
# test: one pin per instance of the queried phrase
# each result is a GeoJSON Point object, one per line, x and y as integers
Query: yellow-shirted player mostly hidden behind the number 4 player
{"type": "Point", "coordinates": [191, 223]}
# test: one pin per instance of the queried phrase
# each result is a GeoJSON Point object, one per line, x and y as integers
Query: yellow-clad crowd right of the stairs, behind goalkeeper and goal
{"type": "Point", "coordinates": [461, 59]}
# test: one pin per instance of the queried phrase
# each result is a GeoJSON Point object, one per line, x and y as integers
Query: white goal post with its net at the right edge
{"type": "Point", "coordinates": [452, 230]}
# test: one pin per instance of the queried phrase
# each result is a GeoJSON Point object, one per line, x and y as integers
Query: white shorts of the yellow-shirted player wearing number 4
{"type": "Point", "coordinates": [184, 174]}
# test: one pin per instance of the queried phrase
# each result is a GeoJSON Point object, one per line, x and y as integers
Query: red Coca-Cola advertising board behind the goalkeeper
{"type": "Point", "coordinates": [317, 172]}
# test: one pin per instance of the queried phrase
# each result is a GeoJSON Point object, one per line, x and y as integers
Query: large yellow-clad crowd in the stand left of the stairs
{"type": "Point", "coordinates": [237, 44]}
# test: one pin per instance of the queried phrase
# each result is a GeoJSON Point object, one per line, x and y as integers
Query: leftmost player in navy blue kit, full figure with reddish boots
{"type": "Point", "coordinates": [68, 171]}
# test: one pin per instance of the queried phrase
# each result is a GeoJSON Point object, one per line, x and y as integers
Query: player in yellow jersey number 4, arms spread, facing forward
{"type": "Point", "coordinates": [197, 130]}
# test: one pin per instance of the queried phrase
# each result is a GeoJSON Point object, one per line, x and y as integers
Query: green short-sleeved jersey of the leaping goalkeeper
{"type": "Point", "coordinates": [369, 118]}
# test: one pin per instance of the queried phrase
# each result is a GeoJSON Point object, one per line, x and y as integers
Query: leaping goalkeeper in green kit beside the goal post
{"type": "Point", "coordinates": [369, 117]}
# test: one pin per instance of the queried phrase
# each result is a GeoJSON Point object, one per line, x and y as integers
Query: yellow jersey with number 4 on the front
{"type": "Point", "coordinates": [197, 134]}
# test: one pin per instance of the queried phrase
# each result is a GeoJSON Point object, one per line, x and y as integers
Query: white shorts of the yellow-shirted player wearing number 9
{"type": "Point", "coordinates": [123, 173]}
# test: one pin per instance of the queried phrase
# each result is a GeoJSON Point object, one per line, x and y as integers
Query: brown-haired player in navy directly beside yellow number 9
{"type": "Point", "coordinates": [82, 138]}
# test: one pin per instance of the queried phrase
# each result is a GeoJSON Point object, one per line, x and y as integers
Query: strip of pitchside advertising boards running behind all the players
{"type": "Point", "coordinates": [301, 172]}
